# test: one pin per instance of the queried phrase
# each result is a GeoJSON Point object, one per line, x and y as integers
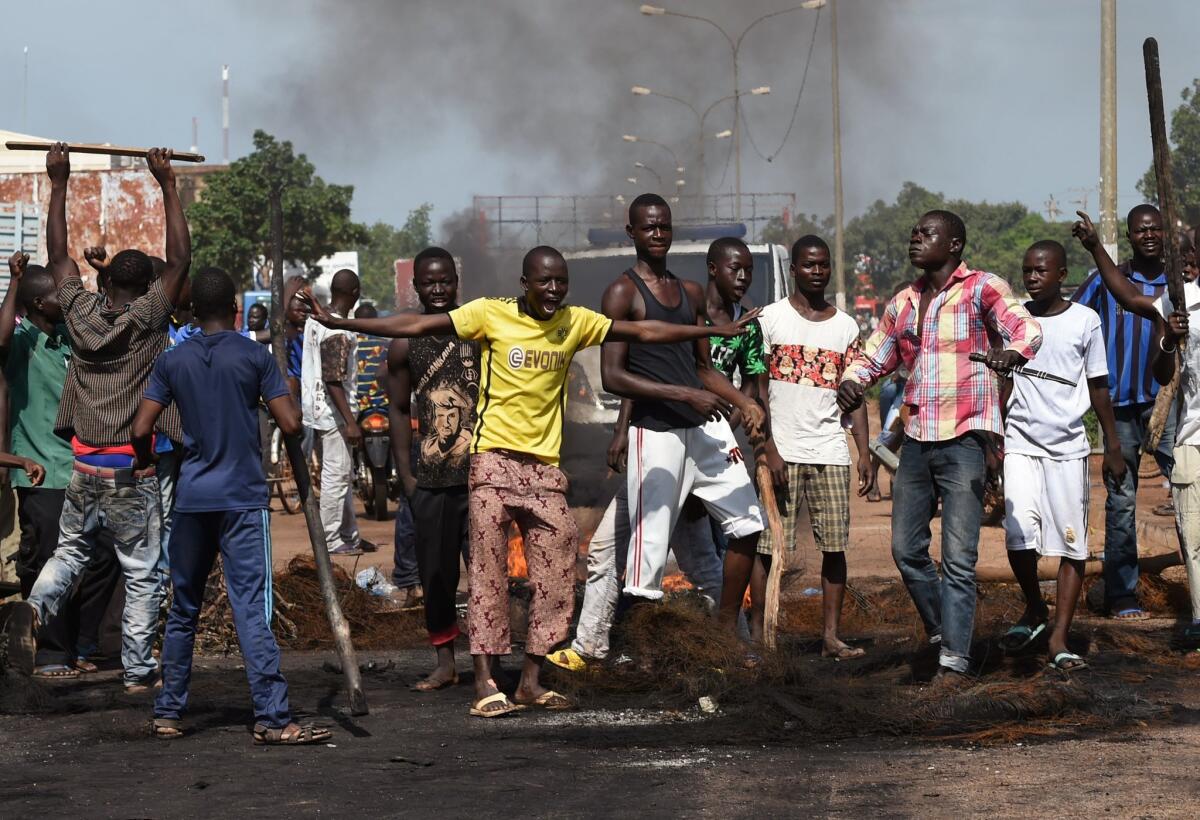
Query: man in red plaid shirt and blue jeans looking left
{"type": "Point", "coordinates": [932, 328]}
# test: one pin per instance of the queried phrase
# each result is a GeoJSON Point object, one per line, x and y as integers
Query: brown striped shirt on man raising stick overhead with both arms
{"type": "Point", "coordinates": [115, 351]}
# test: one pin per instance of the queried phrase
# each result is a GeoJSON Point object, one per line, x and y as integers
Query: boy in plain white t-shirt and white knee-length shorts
{"type": "Point", "coordinates": [1046, 453]}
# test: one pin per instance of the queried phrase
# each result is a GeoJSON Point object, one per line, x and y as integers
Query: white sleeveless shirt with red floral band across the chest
{"type": "Point", "coordinates": [805, 363]}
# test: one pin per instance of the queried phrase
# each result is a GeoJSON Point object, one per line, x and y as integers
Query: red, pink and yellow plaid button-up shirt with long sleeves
{"type": "Point", "coordinates": [949, 394]}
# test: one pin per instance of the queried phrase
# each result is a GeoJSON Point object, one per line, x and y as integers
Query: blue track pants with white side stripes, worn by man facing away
{"type": "Point", "coordinates": [244, 538]}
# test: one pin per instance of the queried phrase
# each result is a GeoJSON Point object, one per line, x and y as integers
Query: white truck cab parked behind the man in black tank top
{"type": "Point", "coordinates": [591, 412]}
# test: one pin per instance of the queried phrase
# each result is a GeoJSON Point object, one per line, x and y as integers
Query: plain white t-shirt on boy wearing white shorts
{"type": "Point", "coordinates": [1046, 420]}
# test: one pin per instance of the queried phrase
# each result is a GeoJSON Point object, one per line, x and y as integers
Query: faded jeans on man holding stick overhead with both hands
{"type": "Point", "coordinates": [130, 518]}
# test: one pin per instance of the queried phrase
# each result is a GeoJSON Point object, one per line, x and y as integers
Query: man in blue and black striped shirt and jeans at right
{"type": "Point", "coordinates": [1127, 340]}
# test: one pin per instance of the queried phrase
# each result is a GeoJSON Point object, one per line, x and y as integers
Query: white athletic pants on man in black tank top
{"type": "Point", "coordinates": [667, 468]}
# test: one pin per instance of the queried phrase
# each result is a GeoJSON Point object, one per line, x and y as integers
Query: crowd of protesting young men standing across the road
{"type": "Point", "coordinates": [135, 416]}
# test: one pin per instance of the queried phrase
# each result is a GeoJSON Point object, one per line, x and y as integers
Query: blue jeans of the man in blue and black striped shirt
{"type": "Point", "coordinates": [1120, 523]}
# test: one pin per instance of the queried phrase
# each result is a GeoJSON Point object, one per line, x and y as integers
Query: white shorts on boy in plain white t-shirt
{"type": "Point", "coordinates": [1046, 506]}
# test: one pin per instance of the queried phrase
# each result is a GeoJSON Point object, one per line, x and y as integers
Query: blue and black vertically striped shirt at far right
{"type": "Point", "coordinates": [1127, 337]}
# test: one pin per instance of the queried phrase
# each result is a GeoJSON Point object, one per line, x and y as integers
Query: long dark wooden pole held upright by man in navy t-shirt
{"type": "Point", "coordinates": [338, 623]}
